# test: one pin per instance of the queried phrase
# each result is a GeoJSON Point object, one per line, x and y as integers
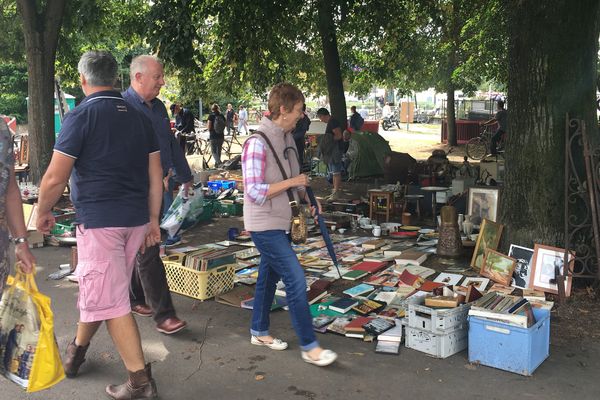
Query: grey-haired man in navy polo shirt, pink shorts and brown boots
{"type": "Point", "coordinates": [110, 152]}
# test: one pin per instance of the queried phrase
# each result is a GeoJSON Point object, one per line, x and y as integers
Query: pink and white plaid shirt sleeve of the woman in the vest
{"type": "Point", "coordinates": [253, 169]}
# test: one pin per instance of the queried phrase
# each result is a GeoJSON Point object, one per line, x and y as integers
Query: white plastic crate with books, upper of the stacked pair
{"type": "Point", "coordinates": [436, 320]}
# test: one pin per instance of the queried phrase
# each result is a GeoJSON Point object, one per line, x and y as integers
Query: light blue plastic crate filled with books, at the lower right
{"type": "Point", "coordinates": [509, 347]}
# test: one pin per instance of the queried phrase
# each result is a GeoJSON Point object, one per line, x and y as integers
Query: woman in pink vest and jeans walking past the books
{"type": "Point", "coordinates": [267, 215]}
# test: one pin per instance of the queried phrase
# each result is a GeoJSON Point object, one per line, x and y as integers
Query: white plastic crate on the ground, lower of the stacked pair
{"type": "Point", "coordinates": [437, 345]}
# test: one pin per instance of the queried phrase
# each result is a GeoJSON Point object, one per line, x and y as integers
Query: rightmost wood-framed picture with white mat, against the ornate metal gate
{"type": "Point", "coordinates": [545, 261]}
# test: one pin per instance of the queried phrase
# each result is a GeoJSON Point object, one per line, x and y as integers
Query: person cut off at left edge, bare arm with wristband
{"type": "Point", "coordinates": [11, 211]}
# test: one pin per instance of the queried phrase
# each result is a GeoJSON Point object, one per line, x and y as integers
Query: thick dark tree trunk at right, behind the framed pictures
{"type": "Point", "coordinates": [552, 72]}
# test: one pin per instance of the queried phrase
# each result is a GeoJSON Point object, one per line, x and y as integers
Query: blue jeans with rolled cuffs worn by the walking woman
{"type": "Point", "coordinates": [278, 260]}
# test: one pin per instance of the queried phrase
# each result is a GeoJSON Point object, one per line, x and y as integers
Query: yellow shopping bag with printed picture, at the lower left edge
{"type": "Point", "coordinates": [28, 351]}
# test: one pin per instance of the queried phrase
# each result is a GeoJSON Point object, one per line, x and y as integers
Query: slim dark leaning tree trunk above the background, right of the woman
{"type": "Point", "coordinates": [331, 59]}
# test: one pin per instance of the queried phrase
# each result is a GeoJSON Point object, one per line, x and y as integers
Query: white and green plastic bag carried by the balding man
{"type": "Point", "coordinates": [183, 213]}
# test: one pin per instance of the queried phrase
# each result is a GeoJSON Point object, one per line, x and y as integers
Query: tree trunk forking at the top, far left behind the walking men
{"type": "Point", "coordinates": [40, 28]}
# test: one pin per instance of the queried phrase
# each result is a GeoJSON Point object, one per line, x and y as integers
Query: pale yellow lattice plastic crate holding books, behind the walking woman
{"type": "Point", "coordinates": [201, 285]}
